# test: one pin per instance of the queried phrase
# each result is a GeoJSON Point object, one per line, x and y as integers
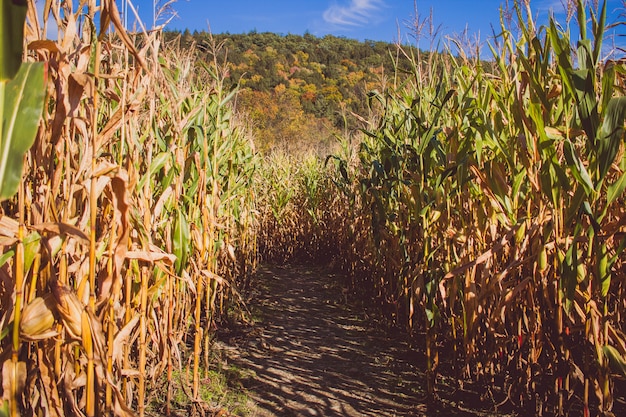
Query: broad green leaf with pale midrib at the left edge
{"type": "Point", "coordinates": [21, 106]}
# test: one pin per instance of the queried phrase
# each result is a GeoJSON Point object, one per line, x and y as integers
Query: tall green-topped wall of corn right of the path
{"type": "Point", "coordinates": [484, 212]}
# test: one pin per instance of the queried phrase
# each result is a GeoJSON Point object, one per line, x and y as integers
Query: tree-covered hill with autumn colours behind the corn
{"type": "Point", "coordinates": [299, 88]}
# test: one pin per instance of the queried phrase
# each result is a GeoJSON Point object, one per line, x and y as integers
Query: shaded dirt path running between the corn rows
{"type": "Point", "coordinates": [312, 354]}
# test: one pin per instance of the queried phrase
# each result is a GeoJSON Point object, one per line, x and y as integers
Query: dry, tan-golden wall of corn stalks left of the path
{"type": "Point", "coordinates": [132, 224]}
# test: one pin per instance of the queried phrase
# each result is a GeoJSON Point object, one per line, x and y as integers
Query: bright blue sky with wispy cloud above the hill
{"type": "Point", "coordinates": [385, 20]}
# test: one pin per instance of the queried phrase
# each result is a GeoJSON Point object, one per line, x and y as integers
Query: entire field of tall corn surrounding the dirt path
{"type": "Point", "coordinates": [481, 209]}
